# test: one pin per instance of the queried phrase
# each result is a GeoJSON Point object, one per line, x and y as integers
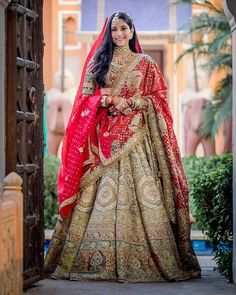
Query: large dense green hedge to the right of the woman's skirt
{"type": "Point", "coordinates": [210, 182]}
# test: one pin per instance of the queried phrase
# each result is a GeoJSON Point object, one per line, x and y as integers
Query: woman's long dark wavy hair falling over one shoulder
{"type": "Point", "coordinates": [104, 53]}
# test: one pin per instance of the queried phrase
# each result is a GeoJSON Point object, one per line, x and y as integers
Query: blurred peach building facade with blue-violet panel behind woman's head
{"type": "Point", "coordinates": [156, 23]}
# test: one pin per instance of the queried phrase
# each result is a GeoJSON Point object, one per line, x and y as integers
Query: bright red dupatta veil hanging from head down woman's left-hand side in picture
{"type": "Point", "coordinates": [78, 129]}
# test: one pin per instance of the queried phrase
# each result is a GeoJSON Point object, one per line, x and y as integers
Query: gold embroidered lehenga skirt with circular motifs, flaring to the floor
{"type": "Point", "coordinates": [120, 229]}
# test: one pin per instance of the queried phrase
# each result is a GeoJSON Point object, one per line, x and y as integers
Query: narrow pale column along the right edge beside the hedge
{"type": "Point", "coordinates": [230, 12]}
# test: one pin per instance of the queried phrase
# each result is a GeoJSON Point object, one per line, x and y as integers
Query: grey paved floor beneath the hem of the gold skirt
{"type": "Point", "coordinates": [211, 283]}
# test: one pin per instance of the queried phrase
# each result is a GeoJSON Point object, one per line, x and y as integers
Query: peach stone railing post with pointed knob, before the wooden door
{"type": "Point", "coordinates": [11, 236]}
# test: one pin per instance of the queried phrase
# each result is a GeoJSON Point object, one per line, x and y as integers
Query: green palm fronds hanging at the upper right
{"type": "Point", "coordinates": [217, 49]}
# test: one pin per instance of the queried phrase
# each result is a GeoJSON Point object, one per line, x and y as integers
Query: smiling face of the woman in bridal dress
{"type": "Point", "coordinates": [121, 33]}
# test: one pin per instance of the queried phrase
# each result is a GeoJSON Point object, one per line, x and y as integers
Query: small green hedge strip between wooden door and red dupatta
{"type": "Point", "coordinates": [51, 166]}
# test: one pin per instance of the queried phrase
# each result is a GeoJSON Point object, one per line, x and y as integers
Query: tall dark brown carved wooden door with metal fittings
{"type": "Point", "coordinates": [24, 135]}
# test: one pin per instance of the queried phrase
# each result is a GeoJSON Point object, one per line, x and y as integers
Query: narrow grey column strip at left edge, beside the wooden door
{"type": "Point", "coordinates": [3, 5]}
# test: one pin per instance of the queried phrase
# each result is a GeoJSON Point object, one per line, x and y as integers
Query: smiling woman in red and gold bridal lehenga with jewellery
{"type": "Point", "coordinates": [122, 190]}
